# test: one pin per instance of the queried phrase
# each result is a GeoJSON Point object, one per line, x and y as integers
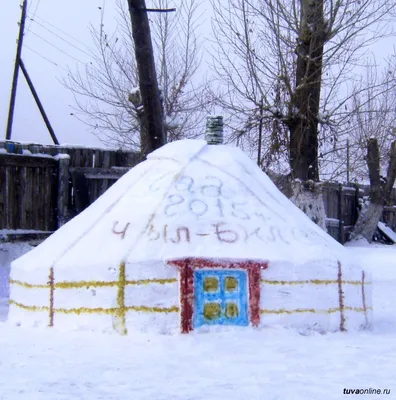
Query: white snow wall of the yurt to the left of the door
{"type": "Point", "coordinates": [139, 297]}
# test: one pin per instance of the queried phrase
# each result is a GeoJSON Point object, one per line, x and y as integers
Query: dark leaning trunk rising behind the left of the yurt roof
{"type": "Point", "coordinates": [151, 99]}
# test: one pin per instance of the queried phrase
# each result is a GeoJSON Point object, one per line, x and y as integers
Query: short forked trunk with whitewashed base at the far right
{"type": "Point", "coordinates": [379, 193]}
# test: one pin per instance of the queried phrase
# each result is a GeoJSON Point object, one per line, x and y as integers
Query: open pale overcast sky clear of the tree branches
{"type": "Point", "coordinates": [47, 65]}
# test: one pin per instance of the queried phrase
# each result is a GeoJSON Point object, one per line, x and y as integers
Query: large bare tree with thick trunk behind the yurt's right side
{"type": "Point", "coordinates": [293, 62]}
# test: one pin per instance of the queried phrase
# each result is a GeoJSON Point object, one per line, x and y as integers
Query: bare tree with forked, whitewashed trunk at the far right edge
{"type": "Point", "coordinates": [372, 145]}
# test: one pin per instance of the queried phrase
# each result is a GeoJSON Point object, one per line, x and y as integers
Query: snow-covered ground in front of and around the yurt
{"type": "Point", "coordinates": [273, 363]}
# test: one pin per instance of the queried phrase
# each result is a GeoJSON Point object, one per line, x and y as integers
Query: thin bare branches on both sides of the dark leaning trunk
{"type": "Point", "coordinates": [107, 91]}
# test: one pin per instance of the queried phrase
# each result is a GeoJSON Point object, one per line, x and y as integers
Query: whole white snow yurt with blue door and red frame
{"type": "Point", "coordinates": [193, 238]}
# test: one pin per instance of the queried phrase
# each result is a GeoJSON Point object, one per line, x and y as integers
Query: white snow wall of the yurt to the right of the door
{"type": "Point", "coordinates": [332, 297]}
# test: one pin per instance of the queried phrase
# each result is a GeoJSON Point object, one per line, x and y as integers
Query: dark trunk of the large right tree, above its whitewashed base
{"type": "Point", "coordinates": [305, 103]}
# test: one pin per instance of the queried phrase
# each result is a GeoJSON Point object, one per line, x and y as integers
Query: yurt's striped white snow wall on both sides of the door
{"type": "Point", "coordinates": [329, 298]}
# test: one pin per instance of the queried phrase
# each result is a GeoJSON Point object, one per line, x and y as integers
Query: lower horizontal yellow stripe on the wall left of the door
{"type": "Point", "coordinates": [99, 310]}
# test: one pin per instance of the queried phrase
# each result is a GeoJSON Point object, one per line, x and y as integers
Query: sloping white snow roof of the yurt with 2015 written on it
{"type": "Point", "coordinates": [188, 199]}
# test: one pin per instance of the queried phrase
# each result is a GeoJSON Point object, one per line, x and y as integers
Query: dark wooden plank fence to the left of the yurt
{"type": "Point", "coordinates": [43, 186]}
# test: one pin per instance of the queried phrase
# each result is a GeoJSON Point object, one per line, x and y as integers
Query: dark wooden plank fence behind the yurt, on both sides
{"type": "Point", "coordinates": [41, 189]}
